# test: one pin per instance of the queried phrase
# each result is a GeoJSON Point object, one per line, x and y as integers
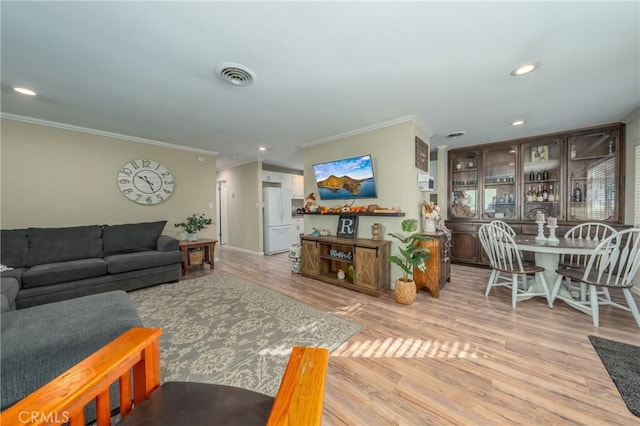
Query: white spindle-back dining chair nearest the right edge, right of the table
{"type": "Point", "coordinates": [612, 265]}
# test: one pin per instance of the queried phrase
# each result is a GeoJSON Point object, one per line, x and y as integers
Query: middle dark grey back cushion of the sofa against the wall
{"type": "Point", "coordinates": [51, 245]}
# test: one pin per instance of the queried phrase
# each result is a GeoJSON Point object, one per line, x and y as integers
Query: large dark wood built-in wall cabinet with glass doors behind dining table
{"type": "Point", "coordinates": [576, 176]}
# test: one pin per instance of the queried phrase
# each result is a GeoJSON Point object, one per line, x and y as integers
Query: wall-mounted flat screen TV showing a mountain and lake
{"type": "Point", "coordinates": [345, 179]}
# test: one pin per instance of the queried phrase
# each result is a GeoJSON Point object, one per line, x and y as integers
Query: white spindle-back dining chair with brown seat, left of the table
{"type": "Point", "coordinates": [505, 257]}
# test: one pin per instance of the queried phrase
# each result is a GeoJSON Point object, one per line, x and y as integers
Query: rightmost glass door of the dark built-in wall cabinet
{"type": "Point", "coordinates": [593, 176]}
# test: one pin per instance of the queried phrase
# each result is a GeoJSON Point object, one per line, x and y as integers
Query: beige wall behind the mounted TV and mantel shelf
{"type": "Point", "coordinates": [393, 152]}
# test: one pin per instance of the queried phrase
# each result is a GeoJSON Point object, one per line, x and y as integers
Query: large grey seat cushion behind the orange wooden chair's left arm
{"type": "Point", "coordinates": [42, 342]}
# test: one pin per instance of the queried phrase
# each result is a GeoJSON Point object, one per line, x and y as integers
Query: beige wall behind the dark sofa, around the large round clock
{"type": "Point", "coordinates": [57, 177]}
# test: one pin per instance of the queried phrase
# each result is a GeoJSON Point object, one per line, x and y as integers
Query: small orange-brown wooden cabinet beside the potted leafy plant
{"type": "Point", "coordinates": [438, 266]}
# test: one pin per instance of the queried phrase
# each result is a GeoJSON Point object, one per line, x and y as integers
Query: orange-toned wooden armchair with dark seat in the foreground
{"type": "Point", "coordinates": [133, 361]}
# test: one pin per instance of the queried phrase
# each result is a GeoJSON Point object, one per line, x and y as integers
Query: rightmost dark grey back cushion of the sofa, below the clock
{"type": "Point", "coordinates": [131, 237]}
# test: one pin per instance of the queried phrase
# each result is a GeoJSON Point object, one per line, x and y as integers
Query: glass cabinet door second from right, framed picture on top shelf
{"type": "Point", "coordinates": [541, 177]}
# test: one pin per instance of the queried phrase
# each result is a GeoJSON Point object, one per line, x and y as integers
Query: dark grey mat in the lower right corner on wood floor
{"type": "Point", "coordinates": [622, 361]}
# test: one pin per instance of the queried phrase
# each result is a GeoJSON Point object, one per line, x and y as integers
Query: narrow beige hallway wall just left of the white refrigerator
{"type": "Point", "coordinates": [244, 196]}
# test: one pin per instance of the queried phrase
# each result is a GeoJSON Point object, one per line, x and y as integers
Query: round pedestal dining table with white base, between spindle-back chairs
{"type": "Point", "coordinates": [547, 255]}
